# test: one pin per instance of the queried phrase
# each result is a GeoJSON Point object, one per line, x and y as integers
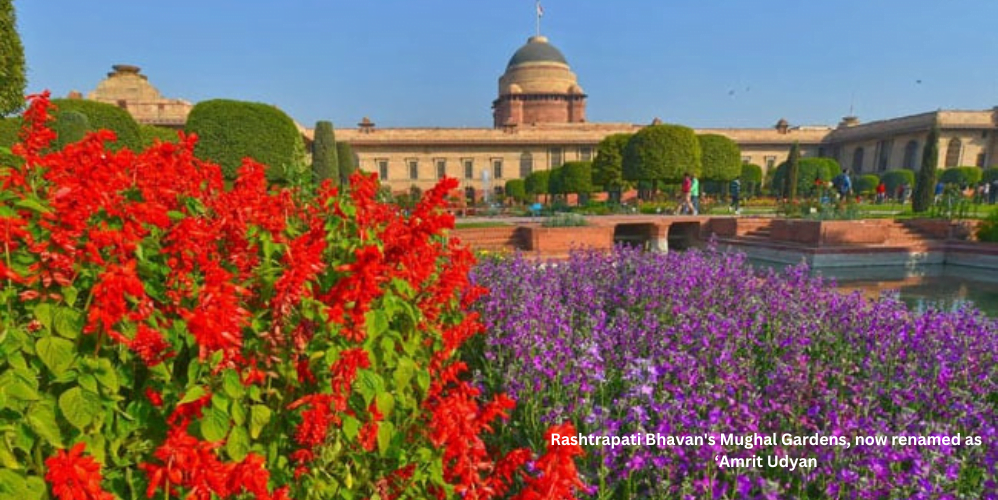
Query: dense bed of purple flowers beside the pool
{"type": "Point", "coordinates": [699, 344]}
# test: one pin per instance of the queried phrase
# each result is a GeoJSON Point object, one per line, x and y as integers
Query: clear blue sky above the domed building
{"type": "Point", "coordinates": [413, 63]}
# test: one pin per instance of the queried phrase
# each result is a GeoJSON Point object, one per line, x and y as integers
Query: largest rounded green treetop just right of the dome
{"type": "Point", "coordinates": [662, 153]}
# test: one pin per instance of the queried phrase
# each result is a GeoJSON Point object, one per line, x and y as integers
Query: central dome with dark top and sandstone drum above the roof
{"type": "Point", "coordinates": [538, 87]}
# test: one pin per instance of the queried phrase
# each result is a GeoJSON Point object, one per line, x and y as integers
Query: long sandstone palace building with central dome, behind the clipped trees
{"type": "Point", "coordinates": [539, 123]}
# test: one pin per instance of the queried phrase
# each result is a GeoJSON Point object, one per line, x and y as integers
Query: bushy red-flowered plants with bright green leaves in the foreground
{"type": "Point", "coordinates": [166, 337]}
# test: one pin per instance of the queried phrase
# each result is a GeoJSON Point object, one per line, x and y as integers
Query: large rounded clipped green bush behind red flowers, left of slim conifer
{"type": "Point", "coordinates": [230, 131]}
